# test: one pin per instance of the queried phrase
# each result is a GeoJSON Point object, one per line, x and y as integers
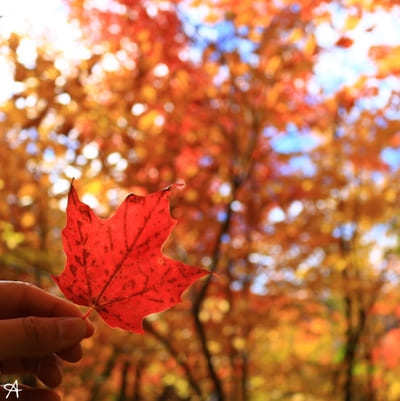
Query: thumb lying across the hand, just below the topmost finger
{"type": "Point", "coordinates": [39, 336]}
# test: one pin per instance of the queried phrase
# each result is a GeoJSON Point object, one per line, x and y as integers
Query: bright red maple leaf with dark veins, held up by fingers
{"type": "Point", "coordinates": [116, 265]}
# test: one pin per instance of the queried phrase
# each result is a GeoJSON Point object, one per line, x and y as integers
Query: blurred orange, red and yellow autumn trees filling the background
{"type": "Point", "coordinates": [289, 197]}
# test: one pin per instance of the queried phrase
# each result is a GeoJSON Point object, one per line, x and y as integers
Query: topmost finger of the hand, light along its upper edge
{"type": "Point", "coordinates": [25, 299]}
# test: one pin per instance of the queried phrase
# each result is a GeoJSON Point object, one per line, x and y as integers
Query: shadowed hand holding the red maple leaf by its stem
{"type": "Point", "coordinates": [37, 332]}
